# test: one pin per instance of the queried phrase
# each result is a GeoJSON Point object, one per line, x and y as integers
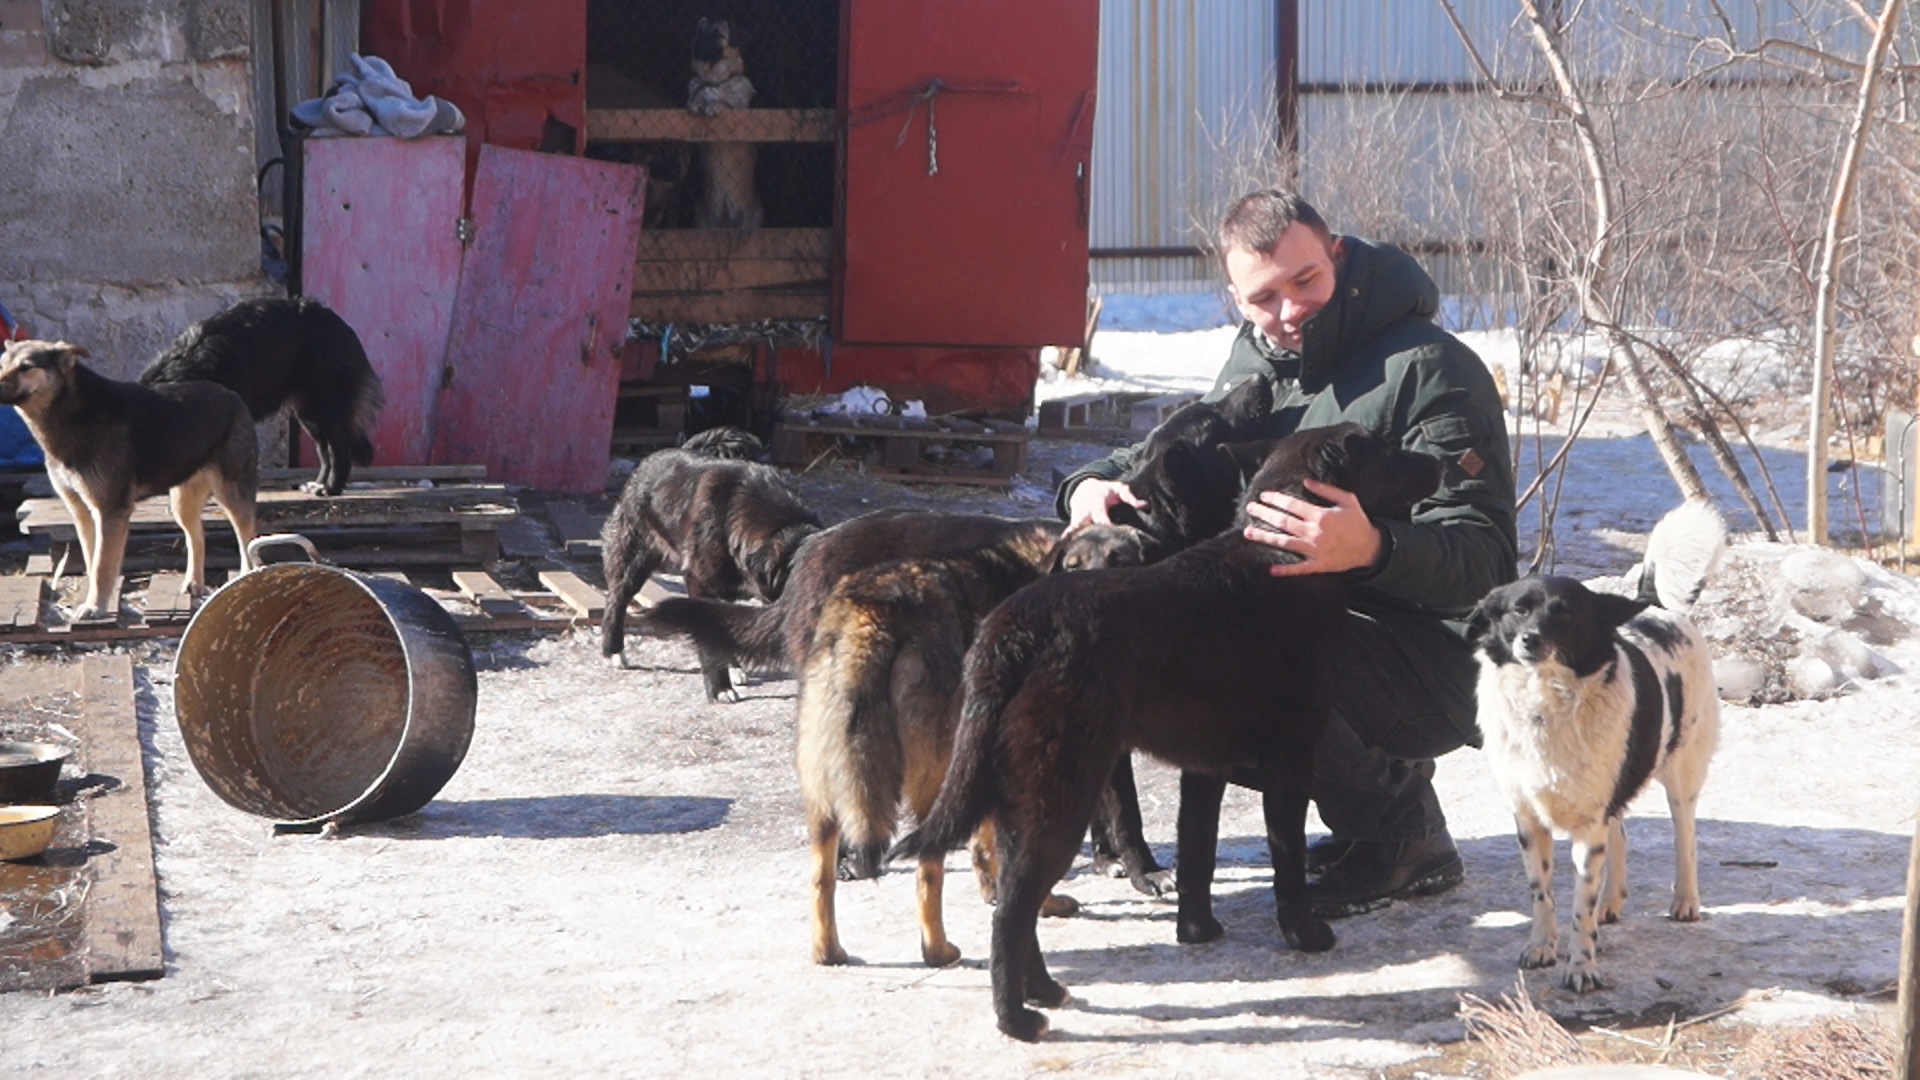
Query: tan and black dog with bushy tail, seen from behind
{"type": "Point", "coordinates": [880, 693]}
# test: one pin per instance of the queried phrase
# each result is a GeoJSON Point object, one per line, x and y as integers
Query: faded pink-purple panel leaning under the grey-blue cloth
{"type": "Point", "coordinates": [379, 245]}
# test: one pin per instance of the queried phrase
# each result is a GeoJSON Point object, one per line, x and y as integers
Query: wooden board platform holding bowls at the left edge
{"type": "Point", "coordinates": [89, 908]}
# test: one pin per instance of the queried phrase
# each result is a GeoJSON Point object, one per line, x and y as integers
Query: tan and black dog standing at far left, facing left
{"type": "Point", "coordinates": [110, 445]}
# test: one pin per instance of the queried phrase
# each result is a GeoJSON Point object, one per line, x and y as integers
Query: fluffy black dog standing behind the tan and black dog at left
{"type": "Point", "coordinates": [287, 353]}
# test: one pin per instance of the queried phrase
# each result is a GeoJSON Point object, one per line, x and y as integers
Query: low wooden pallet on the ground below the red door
{"type": "Point", "coordinates": [911, 449]}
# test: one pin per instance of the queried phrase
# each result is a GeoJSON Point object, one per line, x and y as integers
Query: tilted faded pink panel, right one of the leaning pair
{"type": "Point", "coordinates": [540, 320]}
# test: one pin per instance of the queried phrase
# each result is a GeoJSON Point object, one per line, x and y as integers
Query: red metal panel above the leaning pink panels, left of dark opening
{"type": "Point", "coordinates": [514, 68]}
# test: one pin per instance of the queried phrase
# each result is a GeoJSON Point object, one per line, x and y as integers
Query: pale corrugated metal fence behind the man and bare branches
{"type": "Point", "coordinates": [1188, 109]}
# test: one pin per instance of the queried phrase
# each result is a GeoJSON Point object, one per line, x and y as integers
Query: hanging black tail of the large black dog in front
{"type": "Point", "coordinates": [972, 787]}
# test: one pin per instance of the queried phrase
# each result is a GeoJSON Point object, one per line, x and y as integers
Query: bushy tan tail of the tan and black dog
{"type": "Point", "coordinates": [852, 760]}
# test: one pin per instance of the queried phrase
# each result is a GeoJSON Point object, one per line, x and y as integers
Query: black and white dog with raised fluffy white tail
{"type": "Point", "coordinates": [1583, 699]}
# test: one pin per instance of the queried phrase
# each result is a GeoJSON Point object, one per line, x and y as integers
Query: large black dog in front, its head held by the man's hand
{"type": "Point", "coordinates": [1203, 660]}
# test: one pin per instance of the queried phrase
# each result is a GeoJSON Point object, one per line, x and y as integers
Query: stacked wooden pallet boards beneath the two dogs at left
{"type": "Point", "coordinates": [385, 524]}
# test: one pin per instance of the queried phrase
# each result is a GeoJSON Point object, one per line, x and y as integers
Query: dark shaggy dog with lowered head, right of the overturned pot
{"type": "Point", "coordinates": [731, 528]}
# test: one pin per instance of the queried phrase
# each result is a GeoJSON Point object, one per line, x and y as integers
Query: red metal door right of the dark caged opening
{"type": "Point", "coordinates": [969, 143]}
